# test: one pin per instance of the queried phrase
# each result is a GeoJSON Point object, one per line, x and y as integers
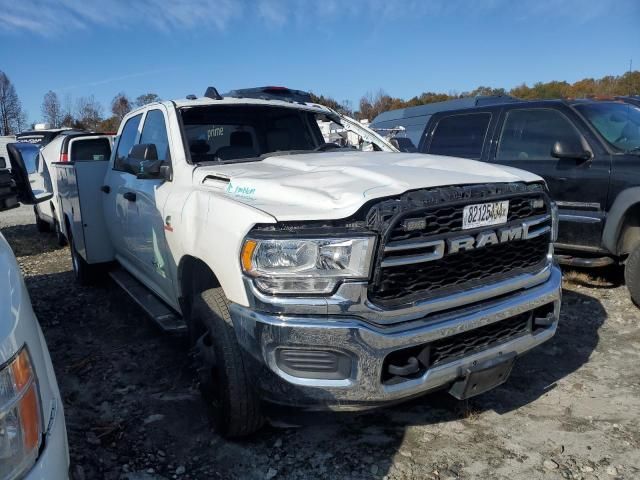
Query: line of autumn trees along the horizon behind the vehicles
{"type": "Point", "coordinates": [88, 113]}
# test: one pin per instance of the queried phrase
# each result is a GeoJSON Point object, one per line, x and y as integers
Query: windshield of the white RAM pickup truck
{"type": "Point", "coordinates": [248, 132]}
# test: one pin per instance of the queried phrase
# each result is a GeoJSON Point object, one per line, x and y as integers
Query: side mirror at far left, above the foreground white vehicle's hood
{"type": "Point", "coordinates": [33, 187]}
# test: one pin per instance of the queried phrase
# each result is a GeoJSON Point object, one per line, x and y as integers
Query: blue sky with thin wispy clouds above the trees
{"type": "Point", "coordinates": [341, 48]}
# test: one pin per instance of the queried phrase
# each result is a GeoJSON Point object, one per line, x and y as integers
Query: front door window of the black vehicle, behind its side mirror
{"type": "Point", "coordinates": [529, 134]}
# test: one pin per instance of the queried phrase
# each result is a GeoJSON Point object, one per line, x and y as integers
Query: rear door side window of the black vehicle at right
{"type": "Point", "coordinates": [460, 135]}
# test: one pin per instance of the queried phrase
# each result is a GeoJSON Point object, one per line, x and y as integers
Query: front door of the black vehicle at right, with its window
{"type": "Point", "coordinates": [524, 139]}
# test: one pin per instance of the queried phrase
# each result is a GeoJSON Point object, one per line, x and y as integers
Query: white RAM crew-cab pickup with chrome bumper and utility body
{"type": "Point", "coordinates": [311, 274]}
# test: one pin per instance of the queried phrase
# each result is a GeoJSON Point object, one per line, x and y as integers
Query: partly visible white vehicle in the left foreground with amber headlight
{"type": "Point", "coordinates": [33, 437]}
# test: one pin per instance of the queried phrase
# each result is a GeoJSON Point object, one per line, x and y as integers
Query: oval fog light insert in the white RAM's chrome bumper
{"type": "Point", "coordinates": [315, 364]}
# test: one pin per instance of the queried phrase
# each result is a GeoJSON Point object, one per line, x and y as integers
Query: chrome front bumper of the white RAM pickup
{"type": "Point", "coordinates": [368, 342]}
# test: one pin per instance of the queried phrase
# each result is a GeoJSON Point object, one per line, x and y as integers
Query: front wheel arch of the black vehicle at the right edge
{"type": "Point", "coordinates": [622, 228]}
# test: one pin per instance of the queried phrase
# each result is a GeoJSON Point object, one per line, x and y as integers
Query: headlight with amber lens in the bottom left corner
{"type": "Point", "coordinates": [20, 416]}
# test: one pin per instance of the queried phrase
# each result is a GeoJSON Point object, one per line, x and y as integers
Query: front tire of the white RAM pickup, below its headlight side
{"type": "Point", "coordinates": [222, 367]}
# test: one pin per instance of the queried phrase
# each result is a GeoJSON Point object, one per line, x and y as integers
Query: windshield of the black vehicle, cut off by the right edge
{"type": "Point", "coordinates": [618, 123]}
